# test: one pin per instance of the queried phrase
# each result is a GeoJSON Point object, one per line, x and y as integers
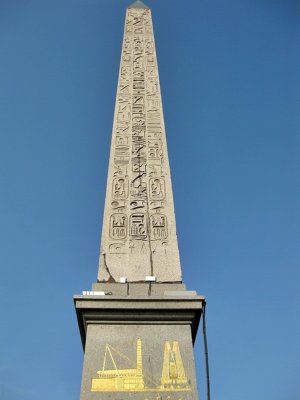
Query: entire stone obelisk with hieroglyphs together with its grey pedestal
{"type": "Point", "coordinates": [138, 323]}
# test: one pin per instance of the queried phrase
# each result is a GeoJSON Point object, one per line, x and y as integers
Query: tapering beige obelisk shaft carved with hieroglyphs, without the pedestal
{"type": "Point", "coordinates": [139, 230]}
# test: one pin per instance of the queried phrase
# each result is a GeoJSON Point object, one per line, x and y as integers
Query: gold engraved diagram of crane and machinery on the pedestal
{"type": "Point", "coordinates": [173, 377]}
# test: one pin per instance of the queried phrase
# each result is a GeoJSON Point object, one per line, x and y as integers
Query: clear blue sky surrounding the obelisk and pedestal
{"type": "Point", "coordinates": [230, 80]}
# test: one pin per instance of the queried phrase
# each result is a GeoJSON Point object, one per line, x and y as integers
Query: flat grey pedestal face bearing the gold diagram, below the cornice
{"type": "Point", "coordinates": [114, 370]}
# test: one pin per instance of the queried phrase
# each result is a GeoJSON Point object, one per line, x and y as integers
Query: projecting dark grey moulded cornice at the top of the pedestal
{"type": "Point", "coordinates": [162, 310]}
